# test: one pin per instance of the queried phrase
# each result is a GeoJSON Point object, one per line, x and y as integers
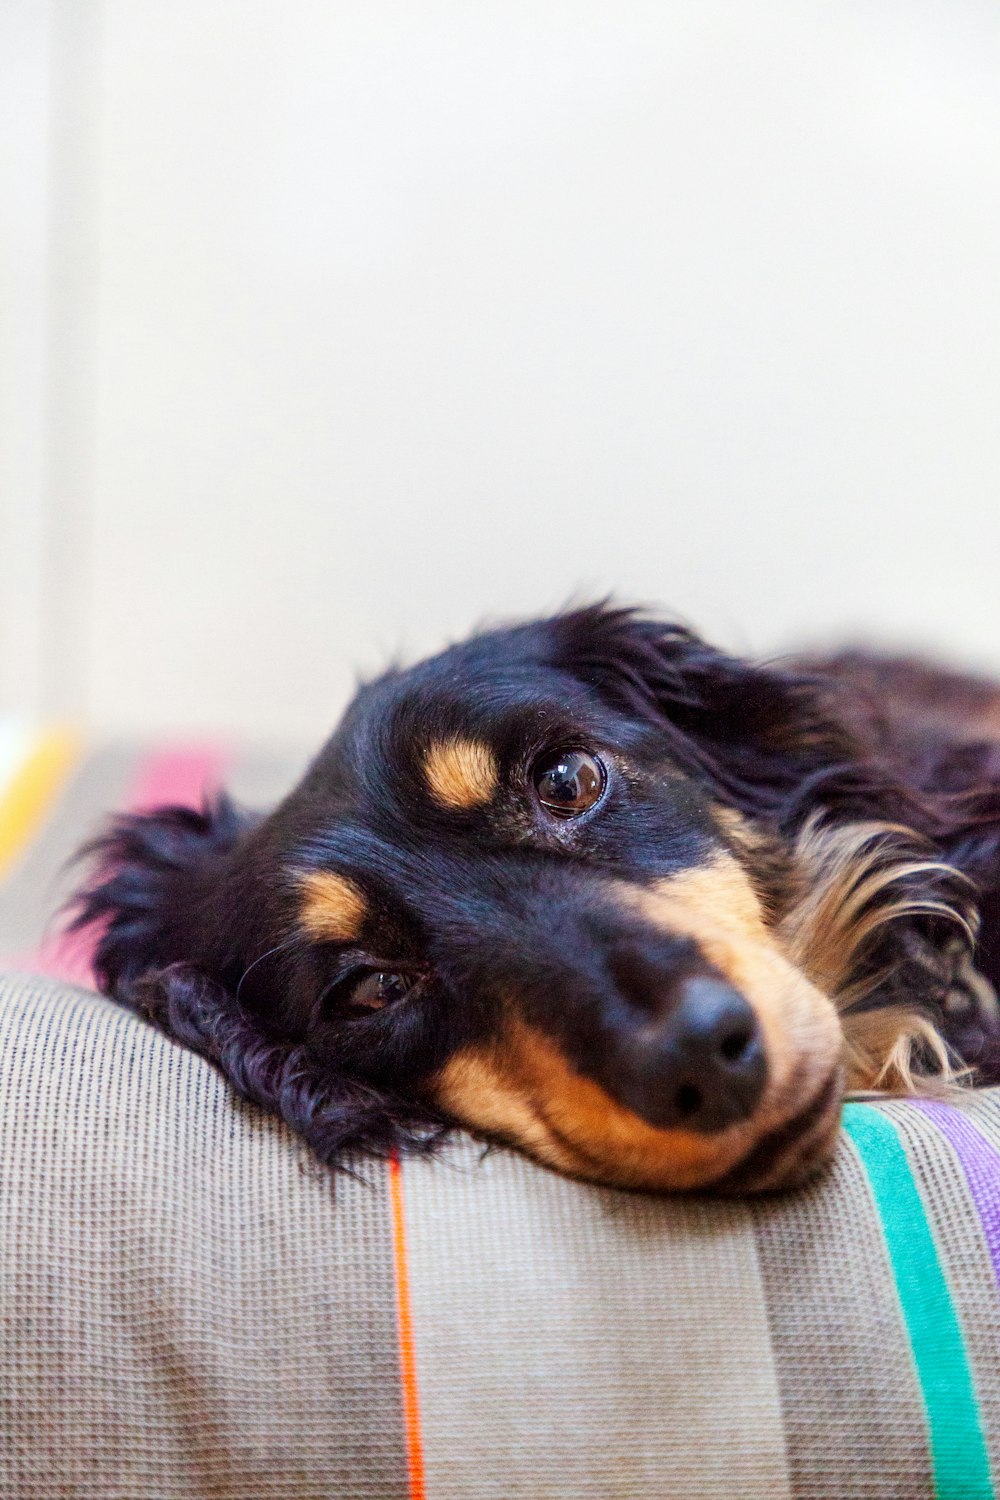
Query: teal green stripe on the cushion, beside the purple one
{"type": "Point", "coordinates": [959, 1453]}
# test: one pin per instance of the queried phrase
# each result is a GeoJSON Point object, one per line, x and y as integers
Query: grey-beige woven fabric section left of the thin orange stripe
{"type": "Point", "coordinates": [188, 1307]}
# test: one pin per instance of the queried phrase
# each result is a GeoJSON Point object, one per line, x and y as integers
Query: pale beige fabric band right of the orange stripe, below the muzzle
{"type": "Point", "coordinates": [636, 1325]}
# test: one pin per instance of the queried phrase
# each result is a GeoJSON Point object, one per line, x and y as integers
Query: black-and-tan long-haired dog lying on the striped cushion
{"type": "Point", "coordinates": [596, 889]}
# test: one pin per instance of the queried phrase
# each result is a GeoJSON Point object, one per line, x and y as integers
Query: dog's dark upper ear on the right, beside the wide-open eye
{"type": "Point", "coordinates": [761, 736]}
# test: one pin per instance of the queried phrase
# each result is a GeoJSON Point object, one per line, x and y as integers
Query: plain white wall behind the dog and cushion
{"type": "Point", "coordinates": [338, 326]}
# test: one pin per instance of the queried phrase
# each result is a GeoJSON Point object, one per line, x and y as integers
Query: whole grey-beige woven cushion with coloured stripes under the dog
{"type": "Point", "coordinates": [191, 1307]}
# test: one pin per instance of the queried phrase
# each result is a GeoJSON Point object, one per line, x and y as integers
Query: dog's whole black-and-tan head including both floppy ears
{"type": "Point", "coordinates": [515, 890]}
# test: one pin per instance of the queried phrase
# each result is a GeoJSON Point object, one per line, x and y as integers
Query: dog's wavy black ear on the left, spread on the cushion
{"type": "Point", "coordinates": [176, 928]}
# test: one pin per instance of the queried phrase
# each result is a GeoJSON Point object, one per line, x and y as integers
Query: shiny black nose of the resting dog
{"type": "Point", "coordinates": [702, 1066]}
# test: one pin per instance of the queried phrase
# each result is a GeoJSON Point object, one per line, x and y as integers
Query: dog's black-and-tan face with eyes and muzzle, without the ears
{"type": "Point", "coordinates": [507, 898]}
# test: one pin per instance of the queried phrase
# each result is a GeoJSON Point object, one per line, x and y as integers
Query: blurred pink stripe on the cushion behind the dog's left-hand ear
{"type": "Point", "coordinates": [181, 776]}
